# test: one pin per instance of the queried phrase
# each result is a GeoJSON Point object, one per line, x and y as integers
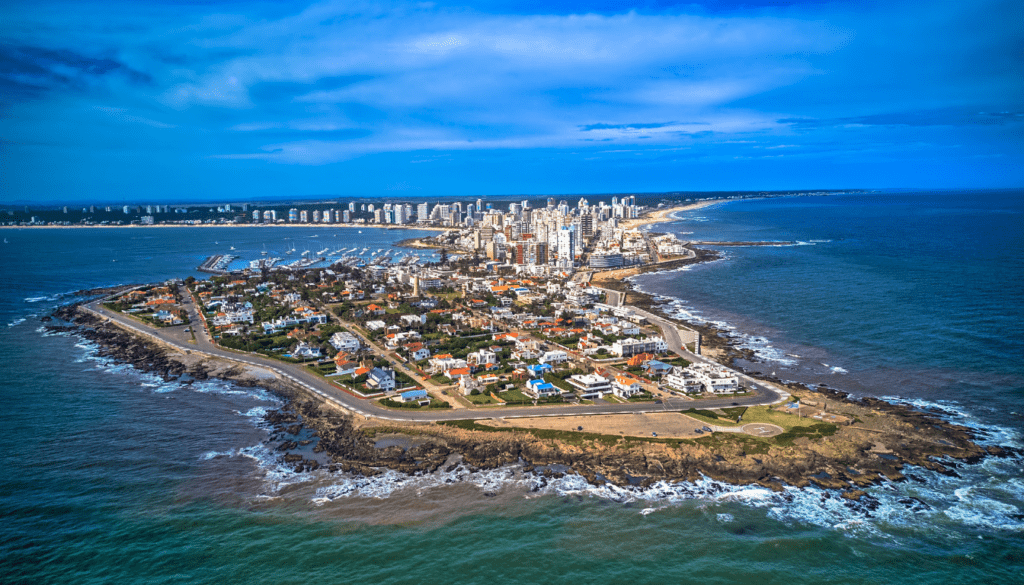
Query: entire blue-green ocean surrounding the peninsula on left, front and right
{"type": "Point", "coordinates": [115, 476]}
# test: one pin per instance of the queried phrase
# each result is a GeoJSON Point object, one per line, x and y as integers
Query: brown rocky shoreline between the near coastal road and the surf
{"type": "Point", "coordinates": [884, 440]}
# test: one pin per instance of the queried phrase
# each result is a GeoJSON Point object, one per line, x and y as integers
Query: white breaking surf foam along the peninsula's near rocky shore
{"type": "Point", "coordinates": [980, 498]}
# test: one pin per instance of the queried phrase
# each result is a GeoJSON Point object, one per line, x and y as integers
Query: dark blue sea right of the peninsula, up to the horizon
{"type": "Point", "coordinates": [919, 296]}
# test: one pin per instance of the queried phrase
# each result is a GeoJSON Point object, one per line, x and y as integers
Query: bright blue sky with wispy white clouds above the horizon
{"type": "Point", "coordinates": [203, 101]}
